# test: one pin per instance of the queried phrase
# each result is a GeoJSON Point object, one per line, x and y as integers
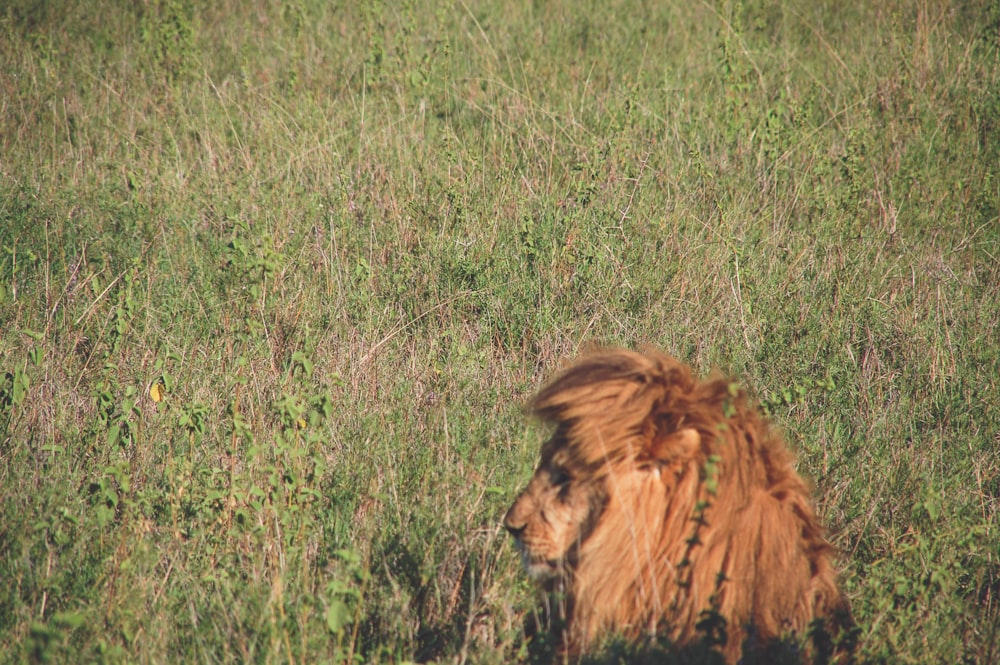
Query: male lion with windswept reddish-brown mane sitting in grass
{"type": "Point", "coordinates": [661, 501]}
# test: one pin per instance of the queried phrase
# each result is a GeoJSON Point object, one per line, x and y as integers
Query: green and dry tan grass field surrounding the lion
{"type": "Point", "coordinates": [276, 279]}
